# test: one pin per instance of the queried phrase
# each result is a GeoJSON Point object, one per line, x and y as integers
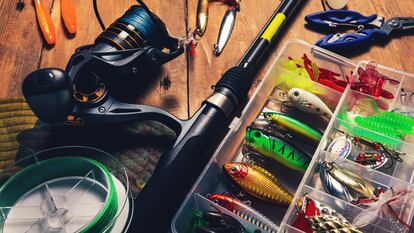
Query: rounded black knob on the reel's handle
{"type": "Point", "coordinates": [49, 94]}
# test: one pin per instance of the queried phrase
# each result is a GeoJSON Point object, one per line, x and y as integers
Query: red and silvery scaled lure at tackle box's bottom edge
{"type": "Point", "coordinates": [316, 217]}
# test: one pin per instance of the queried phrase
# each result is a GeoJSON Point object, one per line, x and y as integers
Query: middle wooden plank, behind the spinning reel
{"type": "Point", "coordinates": [89, 29]}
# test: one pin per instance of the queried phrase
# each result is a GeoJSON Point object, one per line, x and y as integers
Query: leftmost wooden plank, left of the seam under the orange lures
{"type": "Point", "coordinates": [20, 45]}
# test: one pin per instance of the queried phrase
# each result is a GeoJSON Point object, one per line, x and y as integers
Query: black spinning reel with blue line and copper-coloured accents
{"type": "Point", "coordinates": [136, 42]}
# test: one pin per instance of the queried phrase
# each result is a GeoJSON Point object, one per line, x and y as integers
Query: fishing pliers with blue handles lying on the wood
{"type": "Point", "coordinates": [369, 28]}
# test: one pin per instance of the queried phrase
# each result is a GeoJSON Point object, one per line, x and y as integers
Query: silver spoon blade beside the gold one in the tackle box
{"type": "Point", "coordinates": [332, 186]}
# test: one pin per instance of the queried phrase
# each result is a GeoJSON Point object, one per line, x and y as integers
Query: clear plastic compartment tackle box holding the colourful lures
{"type": "Point", "coordinates": [271, 95]}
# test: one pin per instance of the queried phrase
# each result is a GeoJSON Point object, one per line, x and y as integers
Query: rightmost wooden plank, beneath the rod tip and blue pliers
{"type": "Point", "coordinates": [206, 69]}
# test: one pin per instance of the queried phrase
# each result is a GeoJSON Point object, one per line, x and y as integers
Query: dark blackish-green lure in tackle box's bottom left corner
{"type": "Point", "coordinates": [215, 222]}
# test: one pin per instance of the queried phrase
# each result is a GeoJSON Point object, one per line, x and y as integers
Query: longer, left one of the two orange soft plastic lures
{"type": "Point", "coordinates": [45, 23]}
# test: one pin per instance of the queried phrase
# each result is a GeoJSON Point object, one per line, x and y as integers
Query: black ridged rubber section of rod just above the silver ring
{"type": "Point", "coordinates": [235, 84]}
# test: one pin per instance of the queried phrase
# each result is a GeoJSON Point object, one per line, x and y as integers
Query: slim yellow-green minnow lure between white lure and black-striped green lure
{"type": "Point", "coordinates": [294, 126]}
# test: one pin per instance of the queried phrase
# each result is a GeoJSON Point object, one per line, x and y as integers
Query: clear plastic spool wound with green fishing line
{"type": "Point", "coordinates": [66, 189]}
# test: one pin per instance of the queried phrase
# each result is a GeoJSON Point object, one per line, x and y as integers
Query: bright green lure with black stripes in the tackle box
{"type": "Point", "coordinates": [277, 149]}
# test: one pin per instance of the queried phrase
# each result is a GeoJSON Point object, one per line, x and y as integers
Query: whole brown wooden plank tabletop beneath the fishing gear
{"type": "Point", "coordinates": [22, 49]}
